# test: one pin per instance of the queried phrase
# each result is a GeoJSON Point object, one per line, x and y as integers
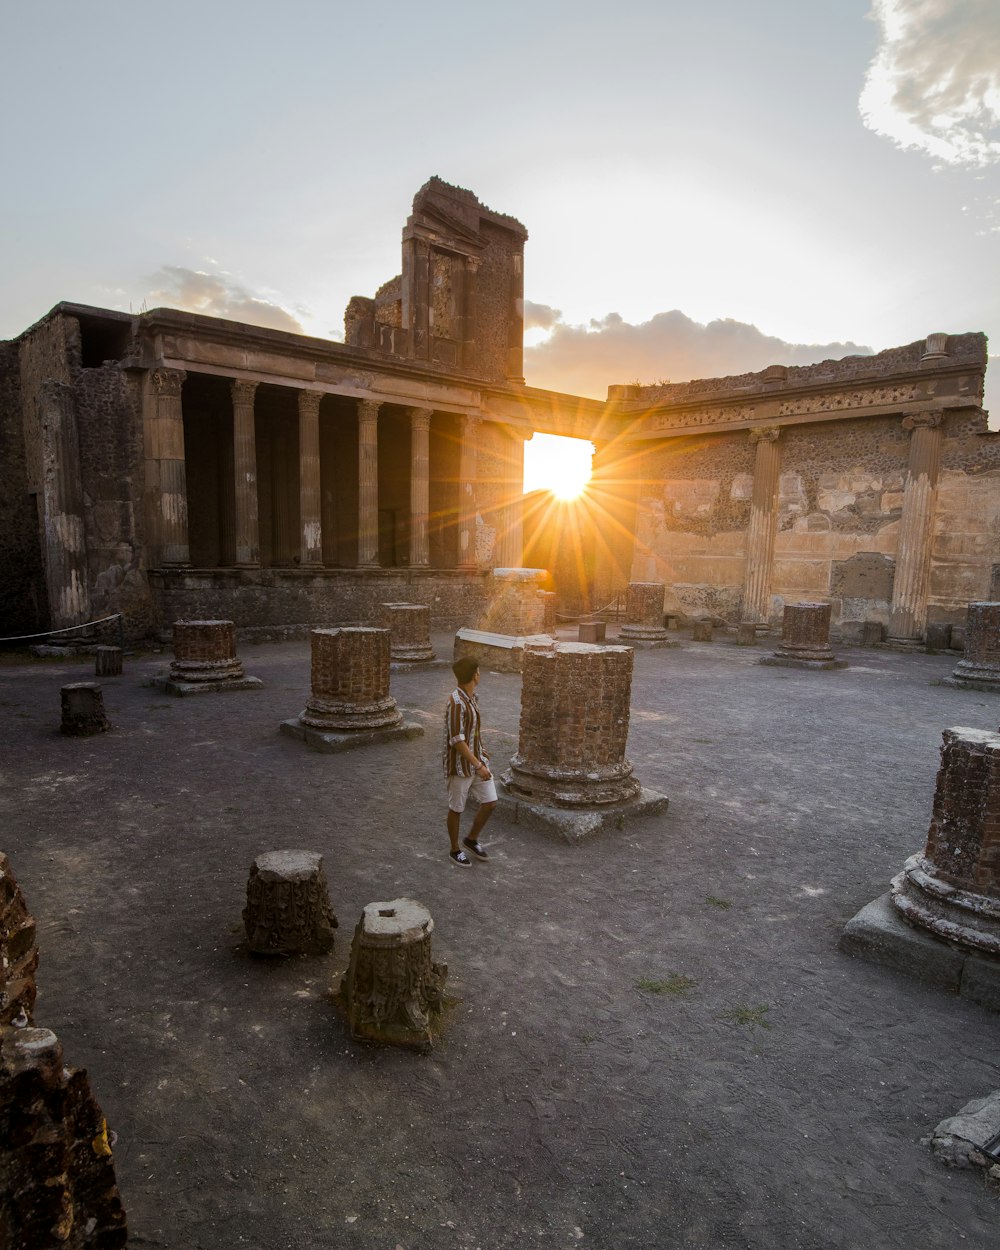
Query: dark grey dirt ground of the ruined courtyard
{"type": "Point", "coordinates": [776, 1102]}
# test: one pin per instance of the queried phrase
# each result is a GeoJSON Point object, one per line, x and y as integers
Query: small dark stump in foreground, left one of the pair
{"type": "Point", "coordinates": [288, 906]}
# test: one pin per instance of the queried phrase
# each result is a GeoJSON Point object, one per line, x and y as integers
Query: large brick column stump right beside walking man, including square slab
{"type": "Point", "coordinates": [571, 776]}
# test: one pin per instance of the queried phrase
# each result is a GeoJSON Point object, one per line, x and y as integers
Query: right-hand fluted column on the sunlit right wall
{"type": "Point", "coordinates": [917, 528]}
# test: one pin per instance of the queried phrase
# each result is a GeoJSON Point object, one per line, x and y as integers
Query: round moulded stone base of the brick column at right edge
{"type": "Point", "coordinates": [968, 921]}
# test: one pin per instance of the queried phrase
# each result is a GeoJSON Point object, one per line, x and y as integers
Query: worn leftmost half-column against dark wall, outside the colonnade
{"type": "Point", "coordinates": [63, 502]}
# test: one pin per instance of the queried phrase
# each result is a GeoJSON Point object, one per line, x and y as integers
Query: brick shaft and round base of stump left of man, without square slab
{"type": "Point", "coordinates": [351, 681]}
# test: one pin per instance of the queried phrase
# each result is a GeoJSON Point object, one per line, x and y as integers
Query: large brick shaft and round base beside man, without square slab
{"type": "Point", "coordinates": [576, 708]}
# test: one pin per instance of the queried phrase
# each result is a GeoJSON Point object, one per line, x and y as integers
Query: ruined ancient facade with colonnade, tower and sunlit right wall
{"type": "Point", "coordinates": [178, 467]}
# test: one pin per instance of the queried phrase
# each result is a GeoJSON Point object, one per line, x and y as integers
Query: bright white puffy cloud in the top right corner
{"type": "Point", "coordinates": [936, 82]}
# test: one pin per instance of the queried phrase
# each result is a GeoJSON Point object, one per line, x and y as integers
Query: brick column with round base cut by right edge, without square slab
{"type": "Point", "coordinates": [953, 889]}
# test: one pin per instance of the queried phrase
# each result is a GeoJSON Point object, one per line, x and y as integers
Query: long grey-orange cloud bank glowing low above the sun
{"type": "Point", "coordinates": [671, 347]}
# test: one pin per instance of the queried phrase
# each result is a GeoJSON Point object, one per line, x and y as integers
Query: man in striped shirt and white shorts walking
{"type": "Point", "coordinates": [467, 764]}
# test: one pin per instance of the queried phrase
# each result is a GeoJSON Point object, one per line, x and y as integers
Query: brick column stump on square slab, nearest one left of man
{"type": "Point", "coordinates": [351, 704]}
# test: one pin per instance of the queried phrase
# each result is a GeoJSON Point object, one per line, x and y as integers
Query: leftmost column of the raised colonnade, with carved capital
{"type": "Point", "coordinates": [167, 488]}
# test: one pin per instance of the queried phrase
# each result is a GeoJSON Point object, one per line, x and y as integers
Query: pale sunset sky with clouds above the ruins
{"type": "Point", "coordinates": [708, 189]}
